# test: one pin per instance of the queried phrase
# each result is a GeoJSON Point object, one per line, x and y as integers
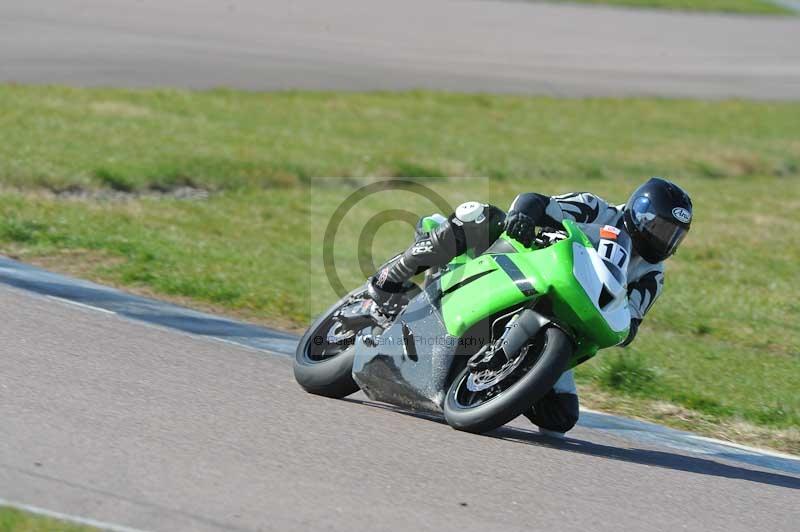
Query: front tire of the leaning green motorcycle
{"type": "Point", "coordinates": [468, 411]}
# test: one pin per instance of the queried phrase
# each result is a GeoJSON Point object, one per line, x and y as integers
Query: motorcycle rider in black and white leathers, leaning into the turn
{"type": "Point", "coordinates": [657, 217]}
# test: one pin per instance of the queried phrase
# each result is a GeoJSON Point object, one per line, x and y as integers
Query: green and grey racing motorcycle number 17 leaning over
{"type": "Point", "coordinates": [486, 336]}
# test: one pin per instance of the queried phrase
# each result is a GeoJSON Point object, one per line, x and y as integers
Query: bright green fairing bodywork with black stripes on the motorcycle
{"type": "Point", "coordinates": [549, 270]}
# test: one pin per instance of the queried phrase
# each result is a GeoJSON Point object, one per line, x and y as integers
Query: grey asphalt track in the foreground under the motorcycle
{"type": "Point", "coordinates": [151, 428]}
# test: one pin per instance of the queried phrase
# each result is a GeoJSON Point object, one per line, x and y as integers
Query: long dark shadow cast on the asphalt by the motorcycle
{"type": "Point", "coordinates": [648, 457]}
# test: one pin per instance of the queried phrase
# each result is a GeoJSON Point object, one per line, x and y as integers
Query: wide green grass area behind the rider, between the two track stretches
{"type": "Point", "coordinates": [723, 341]}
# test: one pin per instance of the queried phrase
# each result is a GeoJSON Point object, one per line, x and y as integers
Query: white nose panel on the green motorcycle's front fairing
{"type": "Point", "coordinates": [593, 275]}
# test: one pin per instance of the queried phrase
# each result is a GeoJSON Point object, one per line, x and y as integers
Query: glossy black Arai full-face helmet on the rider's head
{"type": "Point", "coordinates": [658, 216]}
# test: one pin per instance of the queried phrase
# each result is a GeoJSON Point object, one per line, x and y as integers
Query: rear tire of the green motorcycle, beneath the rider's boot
{"type": "Point", "coordinates": [330, 377]}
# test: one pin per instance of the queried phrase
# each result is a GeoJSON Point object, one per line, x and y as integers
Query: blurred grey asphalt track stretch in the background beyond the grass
{"type": "Point", "coordinates": [462, 45]}
